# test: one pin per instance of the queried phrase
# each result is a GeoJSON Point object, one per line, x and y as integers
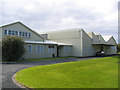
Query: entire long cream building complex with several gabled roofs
{"type": "Point", "coordinates": [64, 43]}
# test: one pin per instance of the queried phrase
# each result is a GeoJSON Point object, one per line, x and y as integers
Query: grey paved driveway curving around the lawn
{"type": "Point", "coordinates": [9, 69]}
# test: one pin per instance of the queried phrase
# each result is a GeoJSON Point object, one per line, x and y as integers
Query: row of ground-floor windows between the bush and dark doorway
{"type": "Point", "coordinates": [40, 49]}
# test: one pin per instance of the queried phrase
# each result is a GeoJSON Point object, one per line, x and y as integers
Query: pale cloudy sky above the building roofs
{"type": "Point", "coordinates": [99, 16]}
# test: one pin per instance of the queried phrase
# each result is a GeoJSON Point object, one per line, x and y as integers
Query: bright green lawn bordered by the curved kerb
{"type": "Point", "coordinates": [94, 73]}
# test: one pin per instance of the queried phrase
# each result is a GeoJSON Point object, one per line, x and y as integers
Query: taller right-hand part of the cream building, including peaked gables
{"type": "Point", "coordinates": [84, 44]}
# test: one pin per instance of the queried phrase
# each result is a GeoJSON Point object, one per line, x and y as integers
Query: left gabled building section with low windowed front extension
{"type": "Point", "coordinates": [35, 45]}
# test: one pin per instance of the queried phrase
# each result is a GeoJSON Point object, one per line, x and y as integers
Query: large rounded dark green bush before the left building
{"type": "Point", "coordinates": [12, 48]}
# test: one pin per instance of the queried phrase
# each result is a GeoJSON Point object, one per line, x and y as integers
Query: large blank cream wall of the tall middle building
{"type": "Point", "coordinates": [69, 37]}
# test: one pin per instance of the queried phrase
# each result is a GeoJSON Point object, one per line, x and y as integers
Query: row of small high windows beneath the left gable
{"type": "Point", "coordinates": [16, 33]}
